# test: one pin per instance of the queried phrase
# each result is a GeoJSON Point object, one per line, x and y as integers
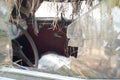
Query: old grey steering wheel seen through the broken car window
{"type": "Point", "coordinates": [18, 50]}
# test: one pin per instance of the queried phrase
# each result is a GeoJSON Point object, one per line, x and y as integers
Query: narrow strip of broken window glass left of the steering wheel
{"type": "Point", "coordinates": [5, 43]}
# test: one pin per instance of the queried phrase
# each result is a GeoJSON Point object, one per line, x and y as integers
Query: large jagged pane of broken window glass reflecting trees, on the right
{"type": "Point", "coordinates": [97, 35]}
